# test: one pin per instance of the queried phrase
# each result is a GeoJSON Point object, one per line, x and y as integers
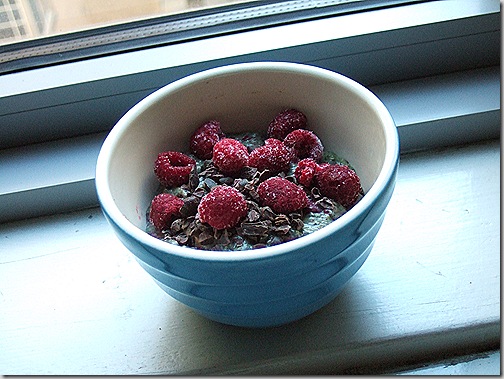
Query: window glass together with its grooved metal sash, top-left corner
{"type": "Point", "coordinates": [36, 33]}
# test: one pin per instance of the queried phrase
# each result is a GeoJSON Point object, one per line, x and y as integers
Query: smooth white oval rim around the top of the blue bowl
{"type": "Point", "coordinates": [113, 212]}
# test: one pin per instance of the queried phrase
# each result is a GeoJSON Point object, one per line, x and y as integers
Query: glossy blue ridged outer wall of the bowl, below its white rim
{"type": "Point", "coordinates": [270, 291]}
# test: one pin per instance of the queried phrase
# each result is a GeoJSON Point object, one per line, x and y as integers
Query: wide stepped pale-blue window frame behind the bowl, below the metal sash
{"type": "Point", "coordinates": [408, 55]}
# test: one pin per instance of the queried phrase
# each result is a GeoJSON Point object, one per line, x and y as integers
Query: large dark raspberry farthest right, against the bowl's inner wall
{"type": "Point", "coordinates": [340, 183]}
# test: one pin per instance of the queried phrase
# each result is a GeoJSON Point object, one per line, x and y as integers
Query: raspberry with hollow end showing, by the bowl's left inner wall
{"type": "Point", "coordinates": [173, 168]}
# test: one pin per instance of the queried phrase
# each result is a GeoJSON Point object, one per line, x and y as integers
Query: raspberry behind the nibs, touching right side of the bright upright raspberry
{"type": "Point", "coordinates": [273, 156]}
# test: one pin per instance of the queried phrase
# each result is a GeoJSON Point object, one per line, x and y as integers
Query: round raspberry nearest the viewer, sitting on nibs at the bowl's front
{"type": "Point", "coordinates": [223, 207]}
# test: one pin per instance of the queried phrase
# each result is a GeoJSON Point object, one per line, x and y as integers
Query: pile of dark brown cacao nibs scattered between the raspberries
{"type": "Point", "coordinates": [261, 227]}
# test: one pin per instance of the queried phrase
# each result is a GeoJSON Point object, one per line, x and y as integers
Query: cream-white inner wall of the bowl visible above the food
{"type": "Point", "coordinates": [347, 118]}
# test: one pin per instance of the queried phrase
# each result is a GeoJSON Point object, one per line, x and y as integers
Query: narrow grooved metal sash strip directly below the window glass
{"type": "Point", "coordinates": [175, 28]}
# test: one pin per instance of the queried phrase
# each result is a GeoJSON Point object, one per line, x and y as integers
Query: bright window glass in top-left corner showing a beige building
{"type": "Point", "coordinates": [52, 17]}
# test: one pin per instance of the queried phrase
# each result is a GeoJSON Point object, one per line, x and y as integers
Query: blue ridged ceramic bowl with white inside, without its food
{"type": "Point", "coordinates": [273, 285]}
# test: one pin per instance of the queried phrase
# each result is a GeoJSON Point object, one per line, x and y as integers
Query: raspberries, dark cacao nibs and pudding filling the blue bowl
{"type": "Point", "coordinates": [244, 191]}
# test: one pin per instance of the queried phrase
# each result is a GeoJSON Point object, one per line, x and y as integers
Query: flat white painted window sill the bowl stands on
{"type": "Point", "coordinates": [75, 301]}
